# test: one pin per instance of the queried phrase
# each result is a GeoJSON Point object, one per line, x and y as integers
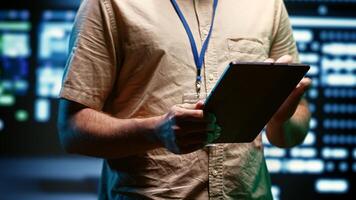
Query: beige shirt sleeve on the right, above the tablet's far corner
{"type": "Point", "coordinates": [283, 41]}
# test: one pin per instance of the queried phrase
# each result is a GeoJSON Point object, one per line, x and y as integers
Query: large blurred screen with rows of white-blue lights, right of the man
{"type": "Point", "coordinates": [324, 165]}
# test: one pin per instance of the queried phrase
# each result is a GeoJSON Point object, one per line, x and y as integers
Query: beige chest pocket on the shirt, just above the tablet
{"type": "Point", "coordinates": [247, 49]}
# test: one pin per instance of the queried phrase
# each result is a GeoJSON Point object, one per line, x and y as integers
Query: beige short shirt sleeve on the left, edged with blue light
{"type": "Point", "coordinates": [92, 64]}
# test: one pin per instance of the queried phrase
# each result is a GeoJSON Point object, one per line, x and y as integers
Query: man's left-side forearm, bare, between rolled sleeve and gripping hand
{"type": "Point", "coordinates": [90, 132]}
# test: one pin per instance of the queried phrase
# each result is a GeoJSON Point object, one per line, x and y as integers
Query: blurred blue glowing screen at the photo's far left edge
{"type": "Point", "coordinates": [15, 52]}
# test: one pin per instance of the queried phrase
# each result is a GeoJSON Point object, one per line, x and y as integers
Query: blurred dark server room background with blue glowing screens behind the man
{"type": "Point", "coordinates": [33, 49]}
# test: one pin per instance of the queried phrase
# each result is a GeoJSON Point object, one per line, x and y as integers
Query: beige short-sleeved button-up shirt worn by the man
{"type": "Point", "coordinates": [132, 58]}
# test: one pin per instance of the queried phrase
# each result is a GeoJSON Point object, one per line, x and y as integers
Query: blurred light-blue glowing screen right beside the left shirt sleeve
{"type": "Point", "coordinates": [55, 30]}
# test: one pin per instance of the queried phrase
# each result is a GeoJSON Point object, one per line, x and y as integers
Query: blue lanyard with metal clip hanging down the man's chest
{"type": "Point", "coordinates": [198, 58]}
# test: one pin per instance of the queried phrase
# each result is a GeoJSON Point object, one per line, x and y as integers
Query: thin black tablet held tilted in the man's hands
{"type": "Point", "coordinates": [248, 94]}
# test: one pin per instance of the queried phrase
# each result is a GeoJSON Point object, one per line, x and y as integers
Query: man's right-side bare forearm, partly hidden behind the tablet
{"type": "Point", "coordinates": [291, 132]}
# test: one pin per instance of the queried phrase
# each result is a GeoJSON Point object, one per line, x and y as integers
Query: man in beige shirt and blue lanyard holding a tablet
{"type": "Point", "coordinates": [131, 63]}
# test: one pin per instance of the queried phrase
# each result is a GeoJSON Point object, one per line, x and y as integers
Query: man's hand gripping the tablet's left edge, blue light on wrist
{"type": "Point", "coordinates": [185, 128]}
